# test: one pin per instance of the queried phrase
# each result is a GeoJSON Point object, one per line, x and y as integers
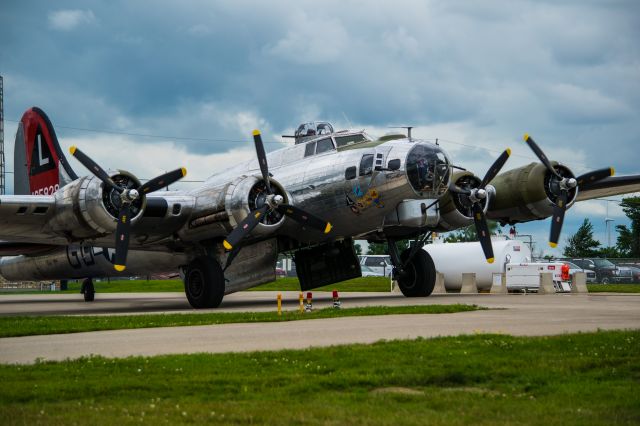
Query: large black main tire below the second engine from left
{"type": "Point", "coordinates": [204, 283]}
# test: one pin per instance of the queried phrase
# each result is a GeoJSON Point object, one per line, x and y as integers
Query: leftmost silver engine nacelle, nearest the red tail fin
{"type": "Point", "coordinates": [90, 211]}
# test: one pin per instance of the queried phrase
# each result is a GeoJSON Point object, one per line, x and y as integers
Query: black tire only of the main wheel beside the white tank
{"type": "Point", "coordinates": [419, 276]}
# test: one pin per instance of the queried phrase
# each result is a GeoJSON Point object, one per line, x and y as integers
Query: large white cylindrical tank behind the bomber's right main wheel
{"type": "Point", "coordinates": [454, 259]}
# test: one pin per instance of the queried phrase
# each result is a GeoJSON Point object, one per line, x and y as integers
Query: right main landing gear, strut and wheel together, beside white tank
{"type": "Point", "coordinates": [414, 270]}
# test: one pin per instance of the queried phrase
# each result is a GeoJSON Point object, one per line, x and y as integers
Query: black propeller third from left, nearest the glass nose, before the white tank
{"type": "Point", "coordinates": [475, 196]}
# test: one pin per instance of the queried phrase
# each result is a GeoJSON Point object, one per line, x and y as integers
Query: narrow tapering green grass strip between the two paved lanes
{"type": "Point", "coordinates": [30, 325]}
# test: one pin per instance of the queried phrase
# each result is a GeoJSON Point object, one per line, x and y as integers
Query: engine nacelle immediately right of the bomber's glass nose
{"type": "Point", "coordinates": [455, 210]}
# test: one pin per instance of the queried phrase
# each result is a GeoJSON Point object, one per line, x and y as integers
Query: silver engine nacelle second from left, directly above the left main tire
{"type": "Point", "coordinates": [246, 195]}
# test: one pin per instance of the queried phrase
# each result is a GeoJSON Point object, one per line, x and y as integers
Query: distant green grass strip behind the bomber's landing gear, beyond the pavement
{"type": "Point", "coordinates": [281, 284]}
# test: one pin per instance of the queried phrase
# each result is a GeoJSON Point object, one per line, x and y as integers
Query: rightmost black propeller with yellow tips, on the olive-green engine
{"type": "Point", "coordinates": [561, 186]}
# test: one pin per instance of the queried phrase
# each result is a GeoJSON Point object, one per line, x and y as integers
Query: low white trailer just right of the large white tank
{"type": "Point", "coordinates": [526, 276]}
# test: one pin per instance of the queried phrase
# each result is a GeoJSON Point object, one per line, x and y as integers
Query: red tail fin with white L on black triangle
{"type": "Point", "coordinates": [38, 157]}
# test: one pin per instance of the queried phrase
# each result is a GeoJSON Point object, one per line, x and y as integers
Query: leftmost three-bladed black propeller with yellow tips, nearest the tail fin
{"type": "Point", "coordinates": [125, 197]}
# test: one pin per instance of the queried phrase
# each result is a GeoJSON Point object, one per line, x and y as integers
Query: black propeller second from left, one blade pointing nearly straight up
{"type": "Point", "coordinates": [270, 203]}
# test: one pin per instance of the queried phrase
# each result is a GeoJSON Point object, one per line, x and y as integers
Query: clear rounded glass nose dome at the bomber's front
{"type": "Point", "coordinates": [428, 170]}
